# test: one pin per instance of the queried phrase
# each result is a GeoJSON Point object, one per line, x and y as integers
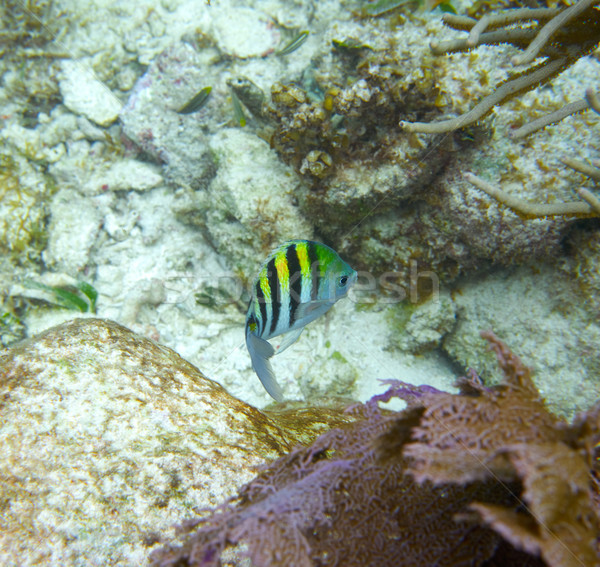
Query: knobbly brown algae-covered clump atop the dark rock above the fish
{"type": "Point", "coordinates": [320, 133]}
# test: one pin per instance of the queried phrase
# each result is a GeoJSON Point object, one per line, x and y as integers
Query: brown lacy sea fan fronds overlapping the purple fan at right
{"type": "Point", "coordinates": [505, 435]}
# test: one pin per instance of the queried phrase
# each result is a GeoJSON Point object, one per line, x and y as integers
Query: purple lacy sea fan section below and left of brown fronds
{"type": "Point", "coordinates": [335, 503]}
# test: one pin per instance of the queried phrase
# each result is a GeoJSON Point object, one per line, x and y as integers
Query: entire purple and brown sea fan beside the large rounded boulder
{"type": "Point", "coordinates": [486, 476]}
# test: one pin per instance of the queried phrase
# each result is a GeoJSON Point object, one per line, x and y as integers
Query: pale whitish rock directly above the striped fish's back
{"type": "Point", "coordinates": [248, 207]}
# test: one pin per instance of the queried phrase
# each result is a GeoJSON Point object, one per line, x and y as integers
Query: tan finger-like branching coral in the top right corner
{"type": "Point", "coordinates": [568, 35]}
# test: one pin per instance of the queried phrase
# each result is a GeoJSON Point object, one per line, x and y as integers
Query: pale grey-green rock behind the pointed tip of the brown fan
{"type": "Point", "coordinates": [544, 313]}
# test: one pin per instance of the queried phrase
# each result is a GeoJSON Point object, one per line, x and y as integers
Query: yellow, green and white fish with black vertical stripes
{"type": "Point", "coordinates": [299, 281]}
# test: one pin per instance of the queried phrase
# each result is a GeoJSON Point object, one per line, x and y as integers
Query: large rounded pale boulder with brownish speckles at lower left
{"type": "Point", "coordinates": [109, 439]}
